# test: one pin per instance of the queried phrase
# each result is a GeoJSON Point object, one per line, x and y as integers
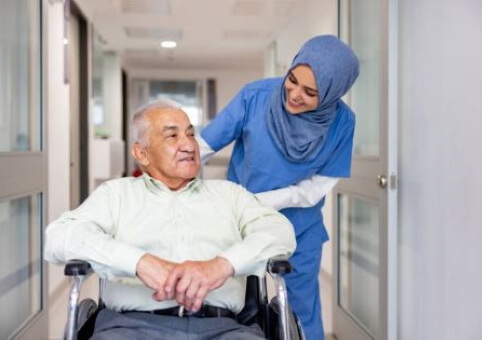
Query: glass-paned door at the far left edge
{"type": "Point", "coordinates": [22, 172]}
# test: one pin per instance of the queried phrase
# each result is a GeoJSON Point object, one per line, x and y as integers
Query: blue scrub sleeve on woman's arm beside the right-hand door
{"type": "Point", "coordinates": [339, 162]}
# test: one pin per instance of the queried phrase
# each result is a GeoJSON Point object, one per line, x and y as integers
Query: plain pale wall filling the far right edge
{"type": "Point", "coordinates": [440, 159]}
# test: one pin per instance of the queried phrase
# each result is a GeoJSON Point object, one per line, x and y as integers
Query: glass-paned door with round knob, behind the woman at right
{"type": "Point", "coordinates": [365, 205]}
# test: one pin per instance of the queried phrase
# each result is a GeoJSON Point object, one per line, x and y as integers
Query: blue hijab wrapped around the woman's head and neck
{"type": "Point", "coordinates": [300, 137]}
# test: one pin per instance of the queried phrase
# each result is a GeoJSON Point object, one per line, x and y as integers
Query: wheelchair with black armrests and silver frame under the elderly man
{"type": "Point", "coordinates": [274, 315]}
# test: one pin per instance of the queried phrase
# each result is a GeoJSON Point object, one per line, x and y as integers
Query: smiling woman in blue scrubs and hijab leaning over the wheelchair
{"type": "Point", "coordinates": [293, 141]}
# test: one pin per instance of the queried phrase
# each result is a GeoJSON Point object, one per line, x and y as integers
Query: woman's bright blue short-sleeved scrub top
{"type": "Point", "coordinates": [258, 165]}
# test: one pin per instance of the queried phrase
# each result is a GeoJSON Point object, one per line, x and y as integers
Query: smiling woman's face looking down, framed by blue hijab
{"type": "Point", "coordinates": [301, 90]}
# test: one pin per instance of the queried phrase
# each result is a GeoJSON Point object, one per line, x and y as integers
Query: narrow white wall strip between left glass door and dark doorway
{"type": "Point", "coordinates": [58, 150]}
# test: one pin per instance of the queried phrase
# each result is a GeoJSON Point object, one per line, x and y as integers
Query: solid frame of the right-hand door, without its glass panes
{"type": "Point", "coordinates": [364, 183]}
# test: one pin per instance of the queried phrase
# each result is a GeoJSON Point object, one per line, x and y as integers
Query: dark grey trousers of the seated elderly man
{"type": "Point", "coordinates": [137, 325]}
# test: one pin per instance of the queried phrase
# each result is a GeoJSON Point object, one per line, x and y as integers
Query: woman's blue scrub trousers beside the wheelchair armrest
{"type": "Point", "coordinates": [303, 288]}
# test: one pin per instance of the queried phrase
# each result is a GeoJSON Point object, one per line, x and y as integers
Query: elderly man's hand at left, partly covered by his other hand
{"type": "Point", "coordinates": [153, 272]}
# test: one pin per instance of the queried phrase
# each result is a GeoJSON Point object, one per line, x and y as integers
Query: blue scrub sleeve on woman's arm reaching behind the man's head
{"type": "Point", "coordinates": [228, 124]}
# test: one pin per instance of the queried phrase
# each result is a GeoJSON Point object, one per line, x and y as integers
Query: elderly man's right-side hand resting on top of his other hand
{"type": "Point", "coordinates": [190, 281]}
